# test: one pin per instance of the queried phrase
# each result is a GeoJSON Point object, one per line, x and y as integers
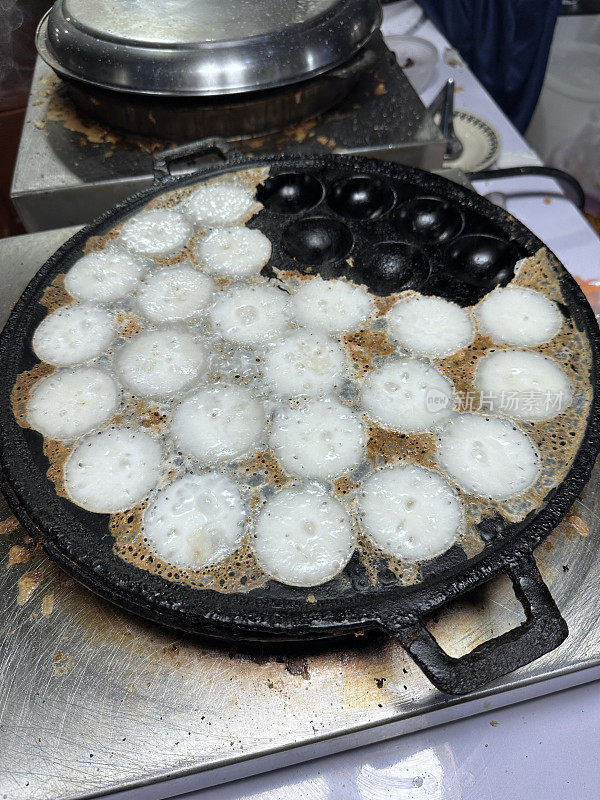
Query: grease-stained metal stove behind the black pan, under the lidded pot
{"type": "Point", "coordinates": [69, 169]}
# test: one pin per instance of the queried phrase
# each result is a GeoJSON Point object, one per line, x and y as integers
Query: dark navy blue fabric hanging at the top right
{"type": "Point", "coordinates": [506, 44]}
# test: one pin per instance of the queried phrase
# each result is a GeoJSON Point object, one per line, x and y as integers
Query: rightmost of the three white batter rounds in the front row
{"type": "Point", "coordinates": [410, 512]}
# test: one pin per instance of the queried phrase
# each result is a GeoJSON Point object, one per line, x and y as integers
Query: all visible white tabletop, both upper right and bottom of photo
{"type": "Point", "coordinates": [544, 748]}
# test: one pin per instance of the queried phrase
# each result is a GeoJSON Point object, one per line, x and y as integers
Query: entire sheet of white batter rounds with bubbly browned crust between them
{"type": "Point", "coordinates": [231, 423]}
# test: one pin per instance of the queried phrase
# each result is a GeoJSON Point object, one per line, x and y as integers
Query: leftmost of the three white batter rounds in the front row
{"type": "Point", "coordinates": [195, 521]}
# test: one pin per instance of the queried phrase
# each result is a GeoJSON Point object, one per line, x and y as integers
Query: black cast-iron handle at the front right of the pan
{"type": "Point", "coordinates": [542, 631]}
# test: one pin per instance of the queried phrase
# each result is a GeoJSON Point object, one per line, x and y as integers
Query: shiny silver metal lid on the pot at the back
{"type": "Point", "coordinates": [202, 47]}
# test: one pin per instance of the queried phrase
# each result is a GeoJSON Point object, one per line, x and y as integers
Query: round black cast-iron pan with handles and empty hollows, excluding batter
{"type": "Point", "coordinates": [314, 215]}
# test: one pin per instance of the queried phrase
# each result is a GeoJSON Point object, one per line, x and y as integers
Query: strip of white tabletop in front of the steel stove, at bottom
{"type": "Point", "coordinates": [542, 749]}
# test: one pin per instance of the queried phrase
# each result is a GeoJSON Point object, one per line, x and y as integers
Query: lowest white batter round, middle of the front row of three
{"type": "Point", "coordinates": [303, 537]}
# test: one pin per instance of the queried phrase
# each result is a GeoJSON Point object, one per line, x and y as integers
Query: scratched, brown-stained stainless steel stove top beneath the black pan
{"type": "Point", "coordinates": [94, 701]}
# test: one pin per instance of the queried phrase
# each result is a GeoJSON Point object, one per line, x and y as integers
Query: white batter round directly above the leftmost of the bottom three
{"type": "Point", "coordinates": [219, 424]}
